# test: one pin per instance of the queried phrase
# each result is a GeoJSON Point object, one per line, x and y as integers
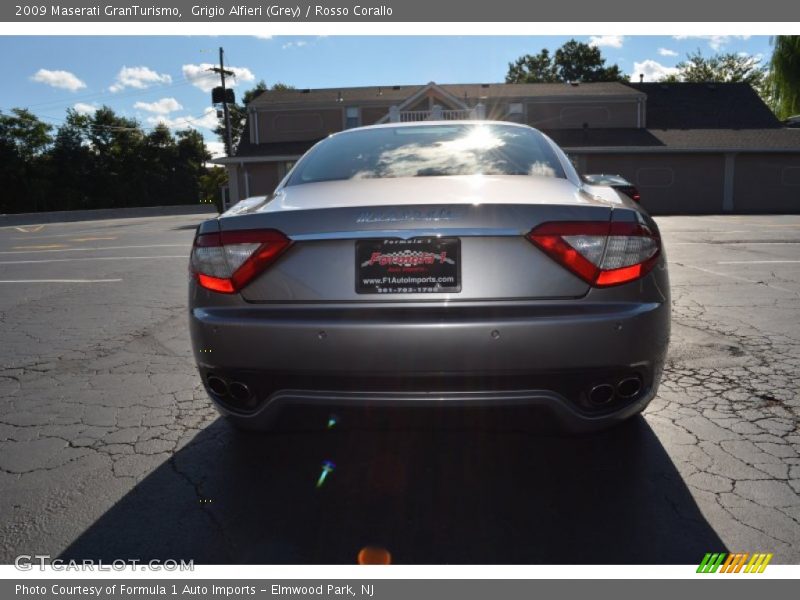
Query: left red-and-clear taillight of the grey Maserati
{"type": "Point", "coordinates": [227, 261]}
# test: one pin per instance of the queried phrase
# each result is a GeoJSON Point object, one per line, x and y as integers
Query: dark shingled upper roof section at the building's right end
{"type": "Point", "coordinates": [705, 105]}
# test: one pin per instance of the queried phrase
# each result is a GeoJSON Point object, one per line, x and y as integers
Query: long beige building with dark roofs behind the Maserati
{"type": "Point", "coordinates": [688, 147]}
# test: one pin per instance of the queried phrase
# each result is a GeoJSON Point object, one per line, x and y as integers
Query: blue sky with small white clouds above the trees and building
{"type": "Point", "coordinates": [162, 78]}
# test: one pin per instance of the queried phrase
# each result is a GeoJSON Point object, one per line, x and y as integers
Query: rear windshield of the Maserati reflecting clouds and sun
{"type": "Point", "coordinates": [421, 151]}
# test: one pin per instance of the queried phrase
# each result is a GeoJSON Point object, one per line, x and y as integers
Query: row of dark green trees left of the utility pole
{"type": "Point", "coordinates": [98, 160]}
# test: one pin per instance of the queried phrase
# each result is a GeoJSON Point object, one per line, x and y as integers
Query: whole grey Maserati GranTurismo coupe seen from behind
{"type": "Point", "coordinates": [457, 263]}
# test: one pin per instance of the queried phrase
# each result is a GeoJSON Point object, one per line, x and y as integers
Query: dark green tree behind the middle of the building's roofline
{"type": "Point", "coordinates": [574, 61]}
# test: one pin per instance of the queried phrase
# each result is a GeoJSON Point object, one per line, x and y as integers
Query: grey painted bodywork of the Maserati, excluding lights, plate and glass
{"type": "Point", "coordinates": [518, 311]}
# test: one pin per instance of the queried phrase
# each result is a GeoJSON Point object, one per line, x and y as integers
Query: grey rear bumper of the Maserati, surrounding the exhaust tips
{"type": "Point", "coordinates": [544, 355]}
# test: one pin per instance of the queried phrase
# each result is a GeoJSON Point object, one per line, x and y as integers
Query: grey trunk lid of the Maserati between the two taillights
{"type": "Point", "coordinates": [482, 221]}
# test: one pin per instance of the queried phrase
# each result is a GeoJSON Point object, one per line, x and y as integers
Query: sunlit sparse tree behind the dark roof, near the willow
{"type": "Point", "coordinates": [721, 68]}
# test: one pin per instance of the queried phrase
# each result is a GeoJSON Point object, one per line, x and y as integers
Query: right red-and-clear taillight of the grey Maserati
{"type": "Point", "coordinates": [602, 253]}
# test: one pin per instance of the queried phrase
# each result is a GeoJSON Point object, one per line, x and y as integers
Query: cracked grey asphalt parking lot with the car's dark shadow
{"type": "Point", "coordinates": [109, 448]}
